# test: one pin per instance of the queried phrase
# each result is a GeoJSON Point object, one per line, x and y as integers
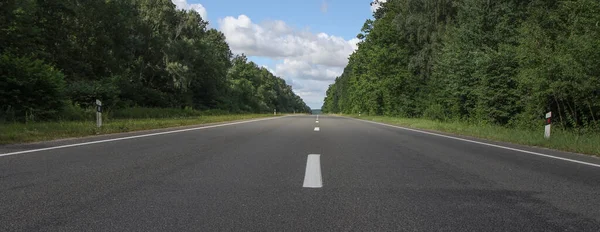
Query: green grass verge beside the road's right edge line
{"type": "Point", "coordinates": [564, 140]}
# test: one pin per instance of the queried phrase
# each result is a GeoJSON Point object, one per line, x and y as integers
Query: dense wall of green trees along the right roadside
{"type": "Point", "coordinates": [503, 62]}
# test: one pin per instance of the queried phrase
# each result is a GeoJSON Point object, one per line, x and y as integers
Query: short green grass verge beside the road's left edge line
{"type": "Point", "coordinates": [43, 131]}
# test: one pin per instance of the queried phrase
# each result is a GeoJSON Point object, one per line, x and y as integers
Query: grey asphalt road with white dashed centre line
{"type": "Point", "coordinates": [254, 177]}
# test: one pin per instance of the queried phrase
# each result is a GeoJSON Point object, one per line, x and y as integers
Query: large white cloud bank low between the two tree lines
{"type": "Point", "coordinates": [308, 61]}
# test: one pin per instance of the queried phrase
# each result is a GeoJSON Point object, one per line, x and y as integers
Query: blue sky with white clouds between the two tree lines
{"type": "Point", "coordinates": [305, 42]}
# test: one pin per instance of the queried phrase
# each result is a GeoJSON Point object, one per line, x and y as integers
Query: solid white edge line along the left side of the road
{"type": "Point", "coordinates": [136, 136]}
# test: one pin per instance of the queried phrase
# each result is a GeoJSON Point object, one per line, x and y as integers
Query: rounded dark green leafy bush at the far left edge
{"type": "Point", "coordinates": [29, 89]}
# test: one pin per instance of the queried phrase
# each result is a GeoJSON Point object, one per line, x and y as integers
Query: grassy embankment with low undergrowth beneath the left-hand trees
{"type": "Point", "coordinates": [133, 119]}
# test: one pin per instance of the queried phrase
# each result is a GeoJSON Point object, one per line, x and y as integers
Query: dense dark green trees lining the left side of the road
{"type": "Point", "coordinates": [58, 53]}
